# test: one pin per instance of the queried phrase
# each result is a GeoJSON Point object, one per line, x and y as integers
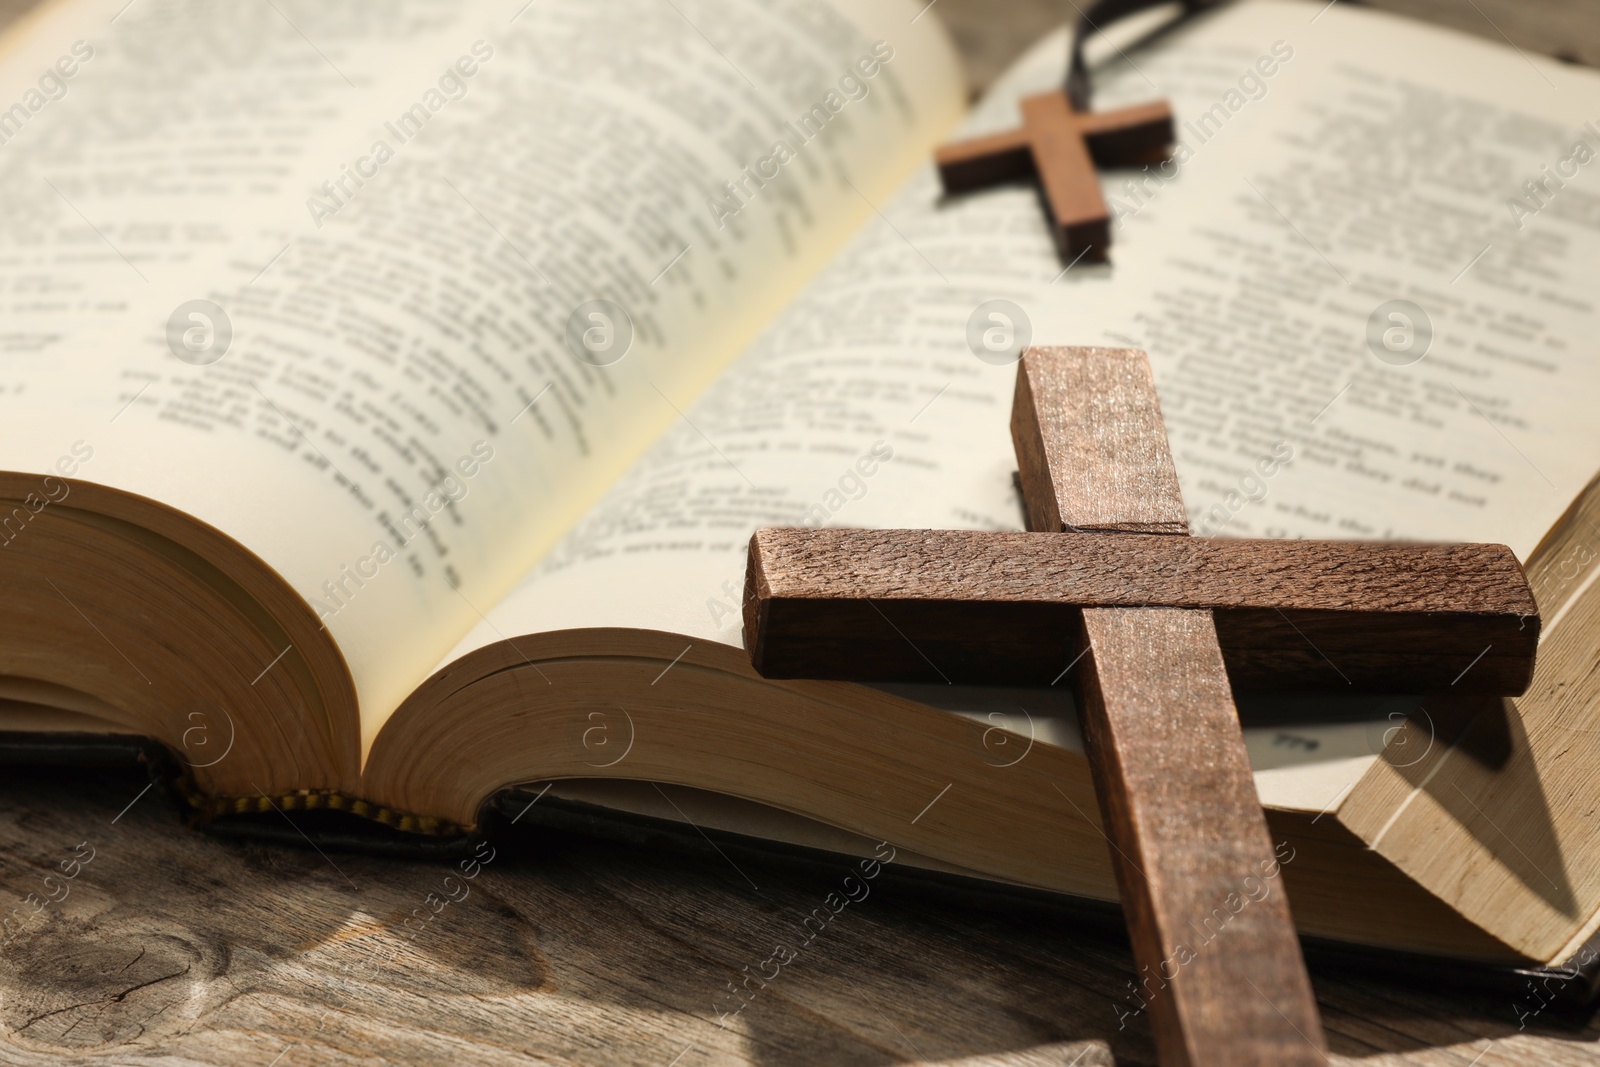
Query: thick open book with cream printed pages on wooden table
{"type": "Point", "coordinates": [390, 398]}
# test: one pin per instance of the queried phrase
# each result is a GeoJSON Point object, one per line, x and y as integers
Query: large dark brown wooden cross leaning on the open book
{"type": "Point", "coordinates": [1166, 621]}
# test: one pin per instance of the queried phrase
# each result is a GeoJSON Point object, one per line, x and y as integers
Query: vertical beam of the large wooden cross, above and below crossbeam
{"type": "Point", "coordinates": [1218, 959]}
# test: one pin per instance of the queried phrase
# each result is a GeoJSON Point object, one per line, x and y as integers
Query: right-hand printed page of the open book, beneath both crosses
{"type": "Point", "coordinates": [1250, 270]}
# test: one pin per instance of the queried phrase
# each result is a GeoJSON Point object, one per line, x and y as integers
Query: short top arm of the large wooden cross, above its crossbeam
{"type": "Point", "coordinates": [1103, 454]}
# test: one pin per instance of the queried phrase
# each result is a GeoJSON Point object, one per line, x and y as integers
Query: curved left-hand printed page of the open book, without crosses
{"type": "Point", "coordinates": [393, 294]}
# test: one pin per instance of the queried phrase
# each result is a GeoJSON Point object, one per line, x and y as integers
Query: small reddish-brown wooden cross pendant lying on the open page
{"type": "Point", "coordinates": [1062, 148]}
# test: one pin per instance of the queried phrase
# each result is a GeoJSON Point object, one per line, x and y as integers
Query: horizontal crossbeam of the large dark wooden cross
{"type": "Point", "coordinates": [978, 607]}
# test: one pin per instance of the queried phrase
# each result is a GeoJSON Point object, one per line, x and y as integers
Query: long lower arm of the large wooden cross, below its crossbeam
{"type": "Point", "coordinates": [1218, 959]}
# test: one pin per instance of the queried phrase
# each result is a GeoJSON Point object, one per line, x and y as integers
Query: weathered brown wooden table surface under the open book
{"type": "Point", "coordinates": [180, 948]}
